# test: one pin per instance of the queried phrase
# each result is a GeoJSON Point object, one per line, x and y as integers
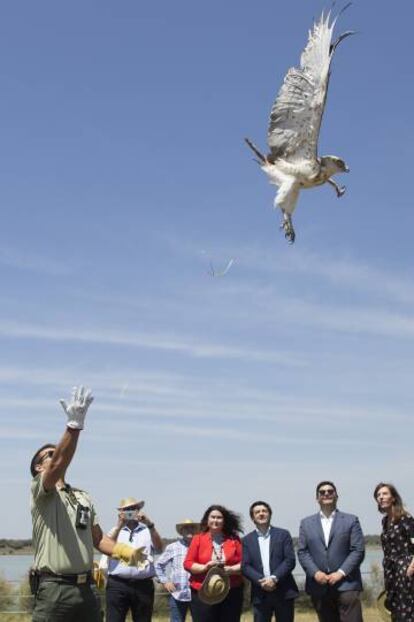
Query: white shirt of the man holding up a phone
{"type": "Point", "coordinates": [140, 536]}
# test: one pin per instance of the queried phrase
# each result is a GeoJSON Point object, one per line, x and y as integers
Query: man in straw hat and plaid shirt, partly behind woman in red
{"type": "Point", "coordinates": [170, 571]}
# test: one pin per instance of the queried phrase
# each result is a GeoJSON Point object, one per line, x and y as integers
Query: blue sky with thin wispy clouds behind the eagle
{"type": "Point", "coordinates": [123, 174]}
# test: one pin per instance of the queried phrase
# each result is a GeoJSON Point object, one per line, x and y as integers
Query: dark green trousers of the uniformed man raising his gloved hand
{"type": "Point", "coordinates": [60, 602]}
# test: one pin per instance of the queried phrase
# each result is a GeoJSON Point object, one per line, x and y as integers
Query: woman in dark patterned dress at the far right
{"type": "Point", "coordinates": [397, 541]}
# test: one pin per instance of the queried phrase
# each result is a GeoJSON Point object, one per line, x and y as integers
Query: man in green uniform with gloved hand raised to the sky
{"type": "Point", "coordinates": [65, 530]}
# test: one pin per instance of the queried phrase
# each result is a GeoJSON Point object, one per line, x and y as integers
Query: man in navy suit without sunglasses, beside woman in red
{"type": "Point", "coordinates": [268, 560]}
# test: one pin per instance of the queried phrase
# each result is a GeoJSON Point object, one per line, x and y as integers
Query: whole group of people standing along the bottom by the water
{"type": "Point", "coordinates": [205, 569]}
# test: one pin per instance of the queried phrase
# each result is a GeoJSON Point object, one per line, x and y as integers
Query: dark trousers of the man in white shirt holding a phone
{"type": "Point", "coordinates": [123, 595]}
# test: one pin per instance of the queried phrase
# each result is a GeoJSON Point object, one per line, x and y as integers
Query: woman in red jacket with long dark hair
{"type": "Point", "coordinates": [218, 544]}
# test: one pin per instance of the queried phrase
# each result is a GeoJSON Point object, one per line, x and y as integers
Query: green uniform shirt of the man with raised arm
{"type": "Point", "coordinates": [60, 546]}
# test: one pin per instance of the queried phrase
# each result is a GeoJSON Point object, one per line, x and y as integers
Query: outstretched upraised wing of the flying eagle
{"type": "Point", "coordinates": [296, 115]}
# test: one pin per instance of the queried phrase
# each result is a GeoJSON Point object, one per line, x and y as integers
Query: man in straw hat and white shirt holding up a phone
{"type": "Point", "coordinates": [132, 588]}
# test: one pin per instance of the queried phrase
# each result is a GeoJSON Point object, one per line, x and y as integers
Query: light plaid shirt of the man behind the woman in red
{"type": "Point", "coordinates": [169, 569]}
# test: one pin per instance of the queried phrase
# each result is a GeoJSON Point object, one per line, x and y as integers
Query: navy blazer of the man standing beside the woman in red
{"type": "Point", "coordinates": [281, 559]}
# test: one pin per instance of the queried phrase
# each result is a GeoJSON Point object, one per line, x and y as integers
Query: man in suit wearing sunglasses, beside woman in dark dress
{"type": "Point", "coordinates": [331, 550]}
